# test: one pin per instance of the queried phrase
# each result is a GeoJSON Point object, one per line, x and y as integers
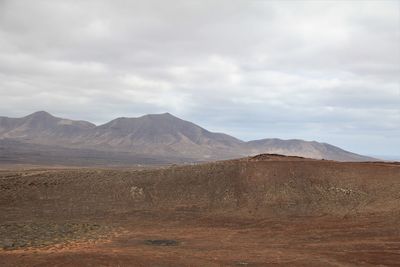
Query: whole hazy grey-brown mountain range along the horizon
{"type": "Point", "coordinates": [157, 136]}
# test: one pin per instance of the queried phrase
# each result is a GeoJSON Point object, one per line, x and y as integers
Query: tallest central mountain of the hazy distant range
{"type": "Point", "coordinates": [162, 134]}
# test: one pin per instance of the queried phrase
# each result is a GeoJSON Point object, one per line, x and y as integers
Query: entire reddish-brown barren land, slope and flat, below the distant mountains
{"type": "Point", "coordinates": [263, 211]}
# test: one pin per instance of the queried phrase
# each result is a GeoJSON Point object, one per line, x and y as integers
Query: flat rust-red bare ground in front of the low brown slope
{"type": "Point", "coordinates": [366, 240]}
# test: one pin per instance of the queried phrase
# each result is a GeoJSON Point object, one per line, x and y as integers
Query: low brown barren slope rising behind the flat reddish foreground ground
{"type": "Point", "coordinates": [265, 185]}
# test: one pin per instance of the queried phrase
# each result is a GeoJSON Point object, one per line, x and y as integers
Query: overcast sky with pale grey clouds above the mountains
{"type": "Point", "coordinates": [315, 70]}
